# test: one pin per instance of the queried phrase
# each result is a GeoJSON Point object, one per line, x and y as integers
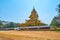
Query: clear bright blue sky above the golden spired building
{"type": "Point", "coordinates": [19, 10]}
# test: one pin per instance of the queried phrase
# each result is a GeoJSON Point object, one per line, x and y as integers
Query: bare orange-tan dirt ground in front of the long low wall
{"type": "Point", "coordinates": [29, 35]}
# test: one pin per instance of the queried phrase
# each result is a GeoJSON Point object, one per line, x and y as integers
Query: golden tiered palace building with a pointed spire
{"type": "Point", "coordinates": [33, 20]}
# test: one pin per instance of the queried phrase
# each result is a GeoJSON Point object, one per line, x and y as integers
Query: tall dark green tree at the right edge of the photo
{"type": "Point", "coordinates": [56, 20]}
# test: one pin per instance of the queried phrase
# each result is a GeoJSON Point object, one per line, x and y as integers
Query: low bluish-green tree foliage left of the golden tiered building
{"type": "Point", "coordinates": [6, 24]}
